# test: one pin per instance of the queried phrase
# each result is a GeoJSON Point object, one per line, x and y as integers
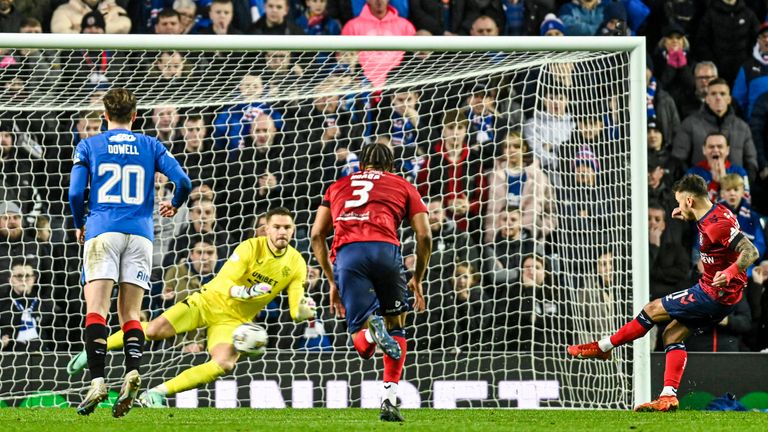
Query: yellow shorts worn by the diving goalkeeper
{"type": "Point", "coordinates": [194, 312]}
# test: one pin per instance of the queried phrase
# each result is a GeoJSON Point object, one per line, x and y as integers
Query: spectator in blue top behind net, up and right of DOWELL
{"type": "Point", "coordinates": [234, 121]}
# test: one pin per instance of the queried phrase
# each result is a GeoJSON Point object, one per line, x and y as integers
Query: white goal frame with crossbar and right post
{"type": "Point", "coordinates": [634, 46]}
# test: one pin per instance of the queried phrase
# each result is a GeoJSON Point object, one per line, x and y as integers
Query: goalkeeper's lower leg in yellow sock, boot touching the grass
{"type": "Point", "coordinates": [223, 361]}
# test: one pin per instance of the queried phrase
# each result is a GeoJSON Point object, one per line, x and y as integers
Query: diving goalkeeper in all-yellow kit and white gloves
{"type": "Point", "coordinates": [258, 270]}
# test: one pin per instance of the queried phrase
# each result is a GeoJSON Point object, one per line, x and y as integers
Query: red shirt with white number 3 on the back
{"type": "Point", "coordinates": [369, 206]}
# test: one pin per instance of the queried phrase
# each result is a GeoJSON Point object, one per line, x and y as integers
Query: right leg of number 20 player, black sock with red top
{"type": "Point", "coordinates": [128, 310]}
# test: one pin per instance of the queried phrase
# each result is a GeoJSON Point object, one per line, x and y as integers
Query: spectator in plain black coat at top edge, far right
{"type": "Point", "coordinates": [725, 34]}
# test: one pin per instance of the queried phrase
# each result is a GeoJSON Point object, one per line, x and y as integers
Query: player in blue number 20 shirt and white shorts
{"type": "Point", "coordinates": [119, 166]}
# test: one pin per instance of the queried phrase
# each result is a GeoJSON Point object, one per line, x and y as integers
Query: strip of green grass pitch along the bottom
{"type": "Point", "coordinates": [322, 420]}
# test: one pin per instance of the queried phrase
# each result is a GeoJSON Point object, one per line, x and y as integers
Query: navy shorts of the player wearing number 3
{"type": "Point", "coordinates": [370, 277]}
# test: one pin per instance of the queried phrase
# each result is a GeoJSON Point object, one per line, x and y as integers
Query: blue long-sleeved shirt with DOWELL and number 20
{"type": "Point", "coordinates": [121, 170]}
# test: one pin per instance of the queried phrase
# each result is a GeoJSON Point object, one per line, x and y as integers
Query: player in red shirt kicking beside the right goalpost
{"type": "Point", "coordinates": [725, 253]}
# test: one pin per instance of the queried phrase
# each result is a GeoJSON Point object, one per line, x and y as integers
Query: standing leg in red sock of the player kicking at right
{"type": "Point", "coordinates": [676, 357]}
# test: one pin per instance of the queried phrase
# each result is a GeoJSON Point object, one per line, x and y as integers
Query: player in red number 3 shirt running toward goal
{"type": "Point", "coordinates": [367, 279]}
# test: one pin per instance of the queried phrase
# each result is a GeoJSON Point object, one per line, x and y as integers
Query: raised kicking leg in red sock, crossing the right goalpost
{"type": "Point", "coordinates": [653, 312]}
